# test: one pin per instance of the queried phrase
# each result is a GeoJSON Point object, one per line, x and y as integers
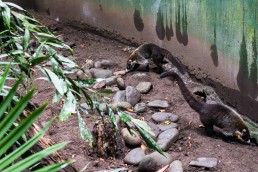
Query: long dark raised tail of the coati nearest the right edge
{"type": "Point", "coordinates": [191, 100]}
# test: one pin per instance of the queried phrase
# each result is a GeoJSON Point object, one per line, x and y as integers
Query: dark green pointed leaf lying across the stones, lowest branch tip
{"type": "Point", "coordinates": [149, 141]}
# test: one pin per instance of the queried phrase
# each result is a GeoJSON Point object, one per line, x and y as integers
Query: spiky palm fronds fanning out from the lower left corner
{"type": "Point", "coordinates": [10, 133]}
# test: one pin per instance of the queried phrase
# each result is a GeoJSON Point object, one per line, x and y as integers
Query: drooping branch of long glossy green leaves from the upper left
{"type": "Point", "coordinates": [17, 29]}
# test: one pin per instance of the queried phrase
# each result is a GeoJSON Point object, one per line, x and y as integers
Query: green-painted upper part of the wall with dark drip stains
{"type": "Point", "coordinates": [228, 26]}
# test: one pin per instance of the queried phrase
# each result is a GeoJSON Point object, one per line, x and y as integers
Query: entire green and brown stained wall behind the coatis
{"type": "Point", "coordinates": [215, 39]}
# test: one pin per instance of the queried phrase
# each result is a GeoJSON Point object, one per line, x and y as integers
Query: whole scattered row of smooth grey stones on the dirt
{"type": "Point", "coordinates": [163, 124]}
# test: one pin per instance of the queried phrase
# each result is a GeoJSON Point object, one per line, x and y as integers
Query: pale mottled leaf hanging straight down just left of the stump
{"type": "Point", "coordinates": [84, 130]}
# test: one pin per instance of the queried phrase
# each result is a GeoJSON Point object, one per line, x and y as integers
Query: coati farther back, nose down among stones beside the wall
{"type": "Point", "coordinates": [154, 52]}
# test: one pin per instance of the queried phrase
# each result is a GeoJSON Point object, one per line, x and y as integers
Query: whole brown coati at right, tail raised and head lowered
{"type": "Point", "coordinates": [223, 117]}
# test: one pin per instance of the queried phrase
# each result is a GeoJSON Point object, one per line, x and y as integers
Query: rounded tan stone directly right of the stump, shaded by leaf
{"type": "Point", "coordinates": [131, 140]}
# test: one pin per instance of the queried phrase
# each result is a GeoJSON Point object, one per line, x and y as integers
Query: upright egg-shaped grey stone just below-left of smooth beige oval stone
{"type": "Point", "coordinates": [132, 95]}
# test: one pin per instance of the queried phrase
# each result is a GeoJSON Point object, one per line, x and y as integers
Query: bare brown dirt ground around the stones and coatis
{"type": "Point", "coordinates": [192, 143]}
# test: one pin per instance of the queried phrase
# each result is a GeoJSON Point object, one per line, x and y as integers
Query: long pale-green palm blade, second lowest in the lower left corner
{"type": "Point", "coordinates": [27, 162]}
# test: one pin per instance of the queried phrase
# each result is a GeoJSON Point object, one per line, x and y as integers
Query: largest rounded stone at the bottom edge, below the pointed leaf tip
{"type": "Point", "coordinates": [154, 161]}
